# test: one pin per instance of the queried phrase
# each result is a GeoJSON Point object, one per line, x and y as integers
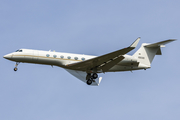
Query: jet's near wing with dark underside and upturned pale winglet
{"type": "Point", "coordinates": [104, 62]}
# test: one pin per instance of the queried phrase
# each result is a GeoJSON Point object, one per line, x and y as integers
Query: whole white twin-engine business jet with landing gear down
{"type": "Point", "coordinates": [87, 67]}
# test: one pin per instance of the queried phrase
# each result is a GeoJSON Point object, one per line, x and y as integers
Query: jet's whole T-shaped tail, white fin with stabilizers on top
{"type": "Point", "coordinates": [147, 52]}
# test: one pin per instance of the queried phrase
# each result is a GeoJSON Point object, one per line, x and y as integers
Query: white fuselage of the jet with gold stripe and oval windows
{"type": "Point", "coordinates": [63, 59]}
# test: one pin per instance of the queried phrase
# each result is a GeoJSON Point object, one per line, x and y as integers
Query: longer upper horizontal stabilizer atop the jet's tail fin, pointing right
{"type": "Point", "coordinates": [160, 44]}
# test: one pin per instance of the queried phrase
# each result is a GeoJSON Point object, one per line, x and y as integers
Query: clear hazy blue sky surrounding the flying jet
{"type": "Point", "coordinates": [95, 28]}
